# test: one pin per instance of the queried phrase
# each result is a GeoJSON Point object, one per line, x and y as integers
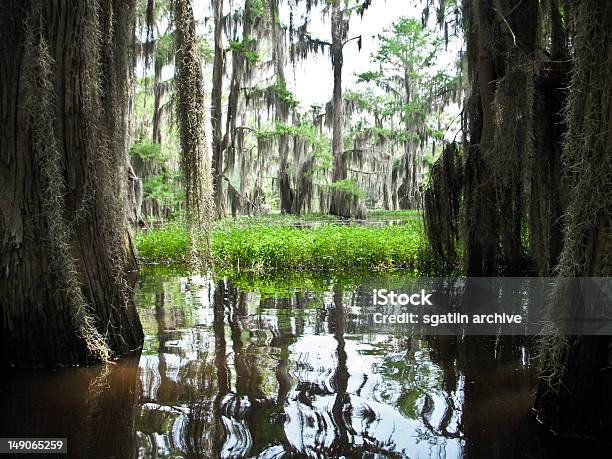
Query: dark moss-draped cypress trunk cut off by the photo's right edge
{"type": "Point", "coordinates": [574, 395]}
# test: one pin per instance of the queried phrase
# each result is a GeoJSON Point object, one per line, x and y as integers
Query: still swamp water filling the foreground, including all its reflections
{"type": "Point", "coordinates": [284, 369]}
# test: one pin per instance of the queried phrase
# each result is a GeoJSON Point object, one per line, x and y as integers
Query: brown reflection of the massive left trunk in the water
{"type": "Point", "coordinates": [89, 406]}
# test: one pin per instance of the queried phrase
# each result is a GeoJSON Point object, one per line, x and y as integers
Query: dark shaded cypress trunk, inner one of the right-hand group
{"type": "Point", "coordinates": [501, 46]}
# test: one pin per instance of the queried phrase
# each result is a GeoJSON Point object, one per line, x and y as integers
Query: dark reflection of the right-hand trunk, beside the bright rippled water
{"type": "Point", "coordinates": [496, 397]}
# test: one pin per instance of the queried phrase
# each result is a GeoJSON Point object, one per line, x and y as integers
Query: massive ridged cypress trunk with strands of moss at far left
{"type": "Point", "coordinates": [64, 240]}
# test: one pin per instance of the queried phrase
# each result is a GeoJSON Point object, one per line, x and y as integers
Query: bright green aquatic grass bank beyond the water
{"type": "Point", "coordinates": [261, 246]}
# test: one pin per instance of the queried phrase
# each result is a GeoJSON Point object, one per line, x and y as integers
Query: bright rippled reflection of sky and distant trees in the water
{"type": "Point", "coordinates": [298, 377]}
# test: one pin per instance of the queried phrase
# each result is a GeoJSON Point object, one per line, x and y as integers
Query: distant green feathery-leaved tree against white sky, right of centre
{"type": "Point", "coordinates": [407, 71]}
